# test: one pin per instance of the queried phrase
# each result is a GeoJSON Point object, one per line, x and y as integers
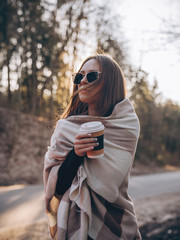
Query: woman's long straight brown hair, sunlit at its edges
{"type": "Point", "coordinates": [112, 91]}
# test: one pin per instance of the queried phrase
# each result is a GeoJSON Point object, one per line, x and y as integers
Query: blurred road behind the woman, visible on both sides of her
{"type": "Point", "coordinates": [22, 206]}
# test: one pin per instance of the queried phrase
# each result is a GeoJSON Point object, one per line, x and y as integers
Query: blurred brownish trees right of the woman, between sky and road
{"type": "Point", "coordinates": [160, 124]}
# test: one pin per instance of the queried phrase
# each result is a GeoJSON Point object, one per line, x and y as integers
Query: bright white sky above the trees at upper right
{"type": "Point", "coordinates": [142, 23]}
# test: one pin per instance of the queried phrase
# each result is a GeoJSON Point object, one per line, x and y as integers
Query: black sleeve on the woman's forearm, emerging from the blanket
{"type": "Point", "coordinates": [67, 172]}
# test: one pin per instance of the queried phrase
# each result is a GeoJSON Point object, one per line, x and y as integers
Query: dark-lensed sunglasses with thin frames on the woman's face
{"type": "Point", "coordinates": [91, 77]}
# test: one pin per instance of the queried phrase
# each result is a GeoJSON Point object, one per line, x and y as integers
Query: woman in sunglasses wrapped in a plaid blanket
{"type": "Point", "coordinates": [87, 198]}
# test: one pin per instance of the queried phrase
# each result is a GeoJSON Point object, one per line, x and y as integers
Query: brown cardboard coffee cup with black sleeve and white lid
{"type": "Point", "coordinates": [97, 131]}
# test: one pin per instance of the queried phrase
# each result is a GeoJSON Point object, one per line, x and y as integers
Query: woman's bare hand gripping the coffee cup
{"type": "Point", "coordinates": [84, 143]}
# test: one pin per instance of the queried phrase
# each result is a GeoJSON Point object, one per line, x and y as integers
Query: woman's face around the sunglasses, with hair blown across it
{"type": "Point", "coordinates": [90, 95]}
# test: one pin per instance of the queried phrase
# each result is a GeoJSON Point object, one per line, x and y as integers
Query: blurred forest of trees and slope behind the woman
{"type": "Point", "coordinates": [41, 44]}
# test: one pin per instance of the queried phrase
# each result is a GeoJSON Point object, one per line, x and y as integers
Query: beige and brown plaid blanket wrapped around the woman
{"type": "Point", "coordinates": [97, 205]}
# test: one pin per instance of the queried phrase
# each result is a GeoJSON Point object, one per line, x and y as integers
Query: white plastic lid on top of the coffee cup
{"type": "Point", "coordinates": [91, 127]}
